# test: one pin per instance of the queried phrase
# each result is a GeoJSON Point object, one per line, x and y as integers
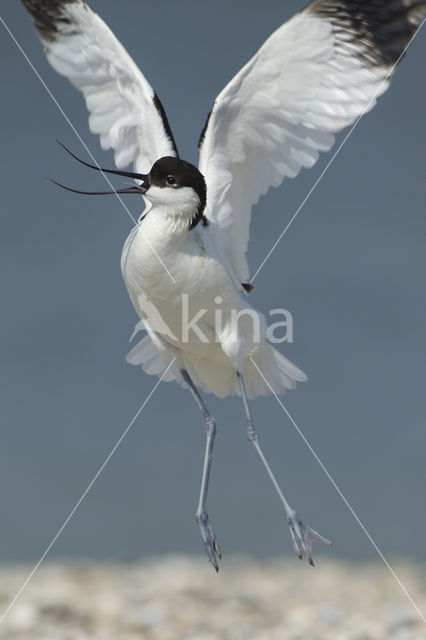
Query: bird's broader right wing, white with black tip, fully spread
{"type": "Point", "coordinates": [314, 76]}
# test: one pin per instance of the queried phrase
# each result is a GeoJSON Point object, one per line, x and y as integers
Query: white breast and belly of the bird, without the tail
{"type": "Point", "coordinates": [174, 277]}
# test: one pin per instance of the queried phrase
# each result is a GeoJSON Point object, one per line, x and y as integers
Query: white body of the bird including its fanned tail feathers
{"type": "Point", "coordinates": [196, 283]}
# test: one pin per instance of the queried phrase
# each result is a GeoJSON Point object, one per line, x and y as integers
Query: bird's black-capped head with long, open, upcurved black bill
{"type": "Point", "coordinates": [173, 185]}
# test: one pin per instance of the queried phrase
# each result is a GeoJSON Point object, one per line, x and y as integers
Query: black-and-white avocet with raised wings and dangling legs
{"type": "Point", "coordinates": [184, 263]}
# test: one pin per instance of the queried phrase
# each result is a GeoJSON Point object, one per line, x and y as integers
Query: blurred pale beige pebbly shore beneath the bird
{"type": "Point", "coordinates": [180, 597]}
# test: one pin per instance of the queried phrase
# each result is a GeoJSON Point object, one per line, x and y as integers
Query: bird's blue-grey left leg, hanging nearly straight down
{"type": "Point", "coordinates": [210, 542]}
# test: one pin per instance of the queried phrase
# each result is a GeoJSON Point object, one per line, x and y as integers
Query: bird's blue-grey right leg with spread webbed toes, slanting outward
{"type": "Point", "coordinates": [302, 535]}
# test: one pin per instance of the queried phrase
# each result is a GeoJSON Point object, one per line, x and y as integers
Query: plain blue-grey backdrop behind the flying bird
{"type": "Point", "coordinates": [351, 270]}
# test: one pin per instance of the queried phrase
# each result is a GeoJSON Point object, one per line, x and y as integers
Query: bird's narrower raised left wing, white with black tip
{"type": "Point", "coordinates": [124, 109]}
